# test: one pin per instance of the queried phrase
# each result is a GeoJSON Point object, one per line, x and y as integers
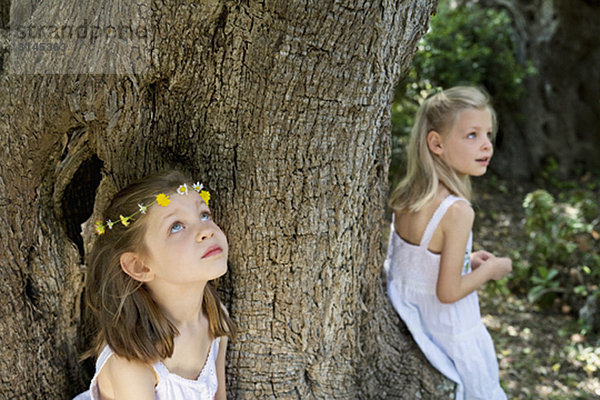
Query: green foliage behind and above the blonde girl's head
{"type": "Point", "coordinates": [466, 44]}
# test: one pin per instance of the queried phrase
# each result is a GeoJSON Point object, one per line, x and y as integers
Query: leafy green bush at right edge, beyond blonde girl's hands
{"type": "Point", "coordinates": [561, 257]}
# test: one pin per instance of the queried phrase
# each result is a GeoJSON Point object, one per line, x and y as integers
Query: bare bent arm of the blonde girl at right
{"type": "Point", "coordinates": [452, 285]}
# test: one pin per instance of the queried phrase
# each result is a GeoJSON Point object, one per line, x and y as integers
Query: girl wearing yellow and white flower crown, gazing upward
{"type": "Point", "coordinates": [162, 331]}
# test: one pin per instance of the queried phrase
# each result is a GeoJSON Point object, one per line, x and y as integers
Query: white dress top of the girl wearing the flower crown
{"type": "Point", "coordinates": [170, 386]}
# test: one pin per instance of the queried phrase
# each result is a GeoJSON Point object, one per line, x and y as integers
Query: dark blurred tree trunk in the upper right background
{"type": "Point", "coordinates": [559, 115]}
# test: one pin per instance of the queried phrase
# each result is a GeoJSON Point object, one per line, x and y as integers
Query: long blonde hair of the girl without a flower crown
{"type": "Point", "coordinates": [425, 170]}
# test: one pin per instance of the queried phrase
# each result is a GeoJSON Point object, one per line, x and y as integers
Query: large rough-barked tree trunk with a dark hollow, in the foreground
{"type": "Point", "coordinates": [283, 109]}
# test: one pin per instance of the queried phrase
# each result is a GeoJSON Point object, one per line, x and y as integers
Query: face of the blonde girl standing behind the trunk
{"type": "Point", "coordinates": [467, 147]}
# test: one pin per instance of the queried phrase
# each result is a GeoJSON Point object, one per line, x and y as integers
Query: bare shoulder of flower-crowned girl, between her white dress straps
{"type": "Point", "coordinates": [121, 379]}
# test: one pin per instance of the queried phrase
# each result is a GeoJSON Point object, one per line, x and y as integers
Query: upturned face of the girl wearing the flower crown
{"type": "Point", "coordinates": [184, 244]}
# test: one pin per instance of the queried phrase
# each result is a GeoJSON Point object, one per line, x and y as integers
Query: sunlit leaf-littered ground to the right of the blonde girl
{"type": "Point", "coordinates": [542, 353]}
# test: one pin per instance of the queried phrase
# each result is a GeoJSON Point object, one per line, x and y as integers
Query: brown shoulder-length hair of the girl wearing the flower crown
{"type": "Point", "coordinates": [127, 318]}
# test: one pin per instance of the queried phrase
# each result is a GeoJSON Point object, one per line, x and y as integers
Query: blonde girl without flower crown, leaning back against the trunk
{"type": "Point", "coordinates": [432, 274]}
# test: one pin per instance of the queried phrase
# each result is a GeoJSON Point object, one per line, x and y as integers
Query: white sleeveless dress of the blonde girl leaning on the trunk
{"type": "Point", "coordinates": [452, 336]}
